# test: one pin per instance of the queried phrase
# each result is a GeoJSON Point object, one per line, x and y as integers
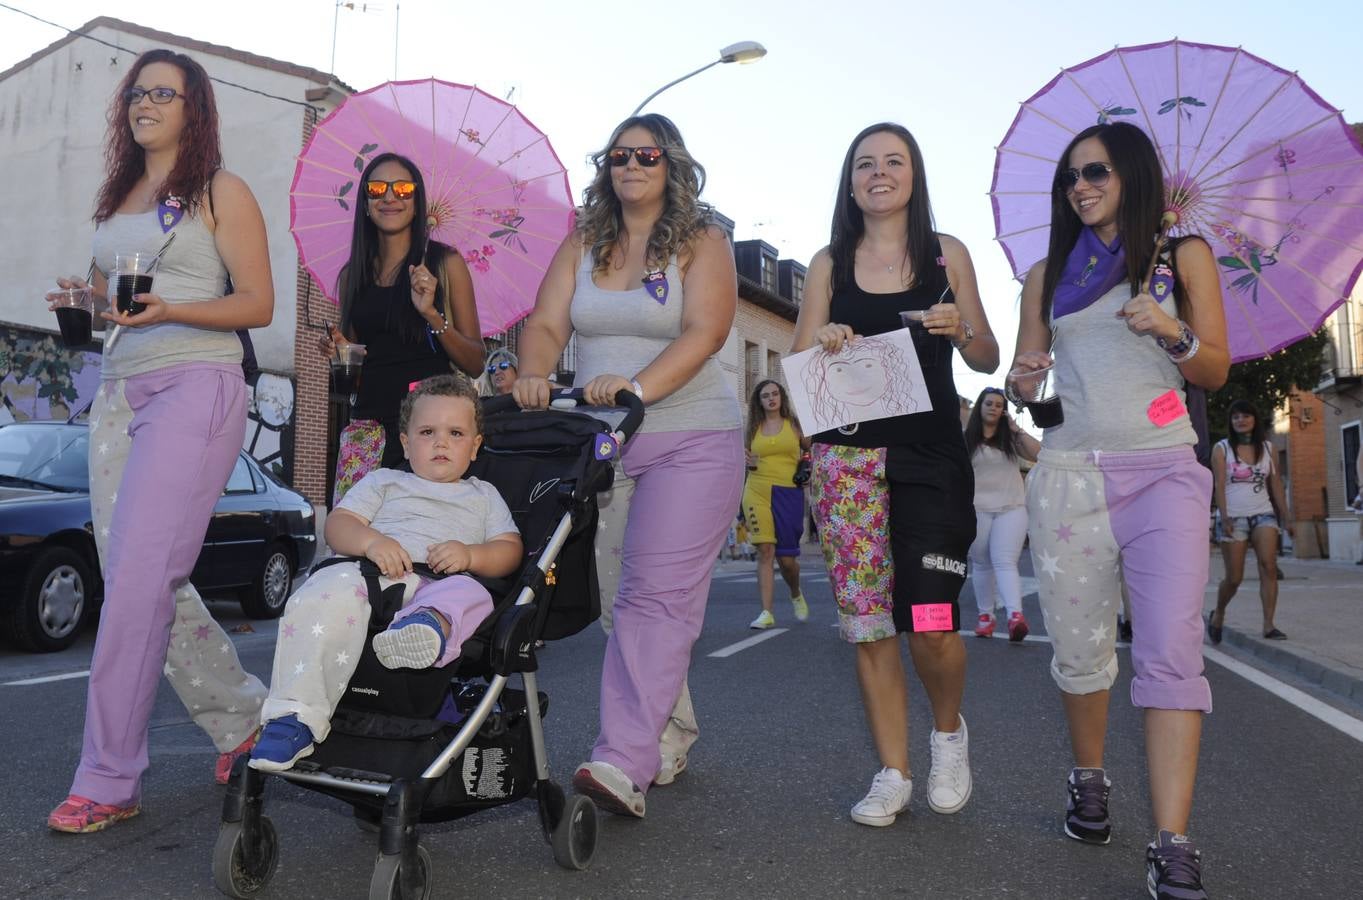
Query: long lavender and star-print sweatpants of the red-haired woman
{"type": "Point", "coordinates": [162, 449]}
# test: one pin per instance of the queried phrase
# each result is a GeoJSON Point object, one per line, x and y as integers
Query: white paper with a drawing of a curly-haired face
{"type": "Point", "coordinates": [872, 378]}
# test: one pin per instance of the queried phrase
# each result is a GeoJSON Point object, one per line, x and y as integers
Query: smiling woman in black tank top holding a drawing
{"type": "Point", "coordinates": [895, 568]}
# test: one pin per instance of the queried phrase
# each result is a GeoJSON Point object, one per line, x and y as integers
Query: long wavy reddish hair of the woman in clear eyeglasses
{"type": "Point", "coordinates": [200, 155]}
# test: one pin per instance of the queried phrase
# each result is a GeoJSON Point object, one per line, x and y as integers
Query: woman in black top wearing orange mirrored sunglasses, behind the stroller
{"type": "Point", "coordinates": [410, 302]}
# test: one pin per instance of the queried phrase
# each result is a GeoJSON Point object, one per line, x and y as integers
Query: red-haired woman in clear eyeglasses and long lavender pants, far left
{"type": "Point", "coordinates": [166, 429]}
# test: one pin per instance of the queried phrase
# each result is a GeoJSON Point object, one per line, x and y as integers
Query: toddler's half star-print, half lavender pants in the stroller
{"type": "Point", "coordinates": [326, 625]}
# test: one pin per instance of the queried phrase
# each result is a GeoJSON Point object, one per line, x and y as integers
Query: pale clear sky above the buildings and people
{"type": "Point", "coordinates": [772, 134]}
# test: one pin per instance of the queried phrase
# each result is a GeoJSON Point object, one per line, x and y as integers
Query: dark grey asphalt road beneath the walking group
{"type": "Point", "coordinates": [763, 812]}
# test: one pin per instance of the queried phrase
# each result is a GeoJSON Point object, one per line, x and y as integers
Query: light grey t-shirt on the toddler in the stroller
{"type": "Point", "coordinates": [418, 513]}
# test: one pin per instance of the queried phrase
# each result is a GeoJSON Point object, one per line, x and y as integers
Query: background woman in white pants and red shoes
{"type": "Point", "coordinates": [996, 442]}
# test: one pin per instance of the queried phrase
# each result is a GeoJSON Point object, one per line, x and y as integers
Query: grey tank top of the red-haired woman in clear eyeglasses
{"type": "Point", "coordinates": [192, 271]}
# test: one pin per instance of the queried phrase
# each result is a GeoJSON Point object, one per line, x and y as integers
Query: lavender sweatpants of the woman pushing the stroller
{"type": "Point", "coordinates": [684, 490]}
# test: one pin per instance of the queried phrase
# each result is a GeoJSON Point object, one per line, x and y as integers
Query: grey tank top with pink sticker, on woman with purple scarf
{"type": "Point", "coordinates": [1107, 378]}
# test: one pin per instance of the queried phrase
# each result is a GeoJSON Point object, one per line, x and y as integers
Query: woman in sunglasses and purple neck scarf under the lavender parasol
{"type": "Point", "coordinates": [1118, 493]}
